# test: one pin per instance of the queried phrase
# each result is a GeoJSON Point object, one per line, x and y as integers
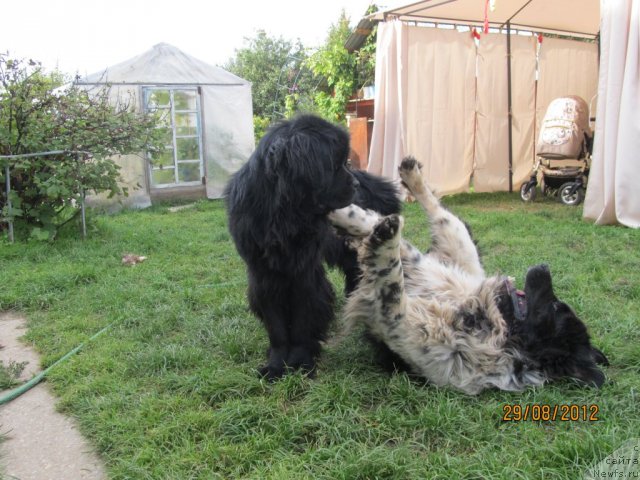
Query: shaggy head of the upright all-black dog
{"type": "Point", "coordinates": [305, 159]}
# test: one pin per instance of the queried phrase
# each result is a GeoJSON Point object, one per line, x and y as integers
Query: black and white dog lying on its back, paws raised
{"type": "Point", "coordinates": [446, 320]}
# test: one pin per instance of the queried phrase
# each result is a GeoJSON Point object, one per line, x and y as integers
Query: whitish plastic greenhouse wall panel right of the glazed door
{"type": "Point", "coordinates": [228, 138]}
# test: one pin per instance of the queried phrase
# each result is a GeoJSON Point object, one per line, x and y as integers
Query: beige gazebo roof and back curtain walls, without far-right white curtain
{"type": "Point", "coordinates": [468, 108]}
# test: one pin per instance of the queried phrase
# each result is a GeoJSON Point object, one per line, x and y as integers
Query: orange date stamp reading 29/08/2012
{"type": "Point", "coordinates": [541, 412]}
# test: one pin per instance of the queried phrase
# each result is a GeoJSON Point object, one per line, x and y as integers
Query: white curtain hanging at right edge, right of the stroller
{"type": "Point", "coordinates": [613, 195]}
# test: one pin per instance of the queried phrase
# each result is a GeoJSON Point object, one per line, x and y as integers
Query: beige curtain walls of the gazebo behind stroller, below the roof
{"type": "Point", "coordinates": [429, 105]}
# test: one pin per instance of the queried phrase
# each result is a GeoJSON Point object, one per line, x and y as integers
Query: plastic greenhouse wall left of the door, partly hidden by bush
{"type": "Point", "coordinates": [132, 167]}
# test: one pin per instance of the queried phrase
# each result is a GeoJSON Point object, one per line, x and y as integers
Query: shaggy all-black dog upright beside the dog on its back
{"type": "Point", "coordinates": [277, 207]}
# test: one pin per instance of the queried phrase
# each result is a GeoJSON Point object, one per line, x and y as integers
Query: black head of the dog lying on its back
{"type": "Point", "coordinates": [553, 335]}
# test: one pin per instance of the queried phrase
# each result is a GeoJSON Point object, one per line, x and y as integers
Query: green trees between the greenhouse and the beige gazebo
{"type": "Point", "coordinates": [286, 80]}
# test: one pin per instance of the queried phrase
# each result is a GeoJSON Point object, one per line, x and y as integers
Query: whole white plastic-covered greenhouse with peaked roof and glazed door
{"type": "Point", "coordinates": [205, 112]}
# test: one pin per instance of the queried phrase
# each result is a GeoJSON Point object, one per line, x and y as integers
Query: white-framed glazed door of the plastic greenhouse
{"type": "Point", "coordinates": [180, 163]}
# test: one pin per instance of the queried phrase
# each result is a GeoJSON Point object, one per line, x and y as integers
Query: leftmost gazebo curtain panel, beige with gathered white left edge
{"type": "Point", "coordinates": [424, 104]}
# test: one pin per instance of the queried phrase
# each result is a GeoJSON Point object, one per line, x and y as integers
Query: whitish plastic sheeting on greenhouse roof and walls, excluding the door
{"type": "Point", "coordinates": [226, 116]}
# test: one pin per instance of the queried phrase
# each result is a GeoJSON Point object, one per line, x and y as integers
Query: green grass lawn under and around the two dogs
{"type": "Point", "coordinates": [170, 391]}
